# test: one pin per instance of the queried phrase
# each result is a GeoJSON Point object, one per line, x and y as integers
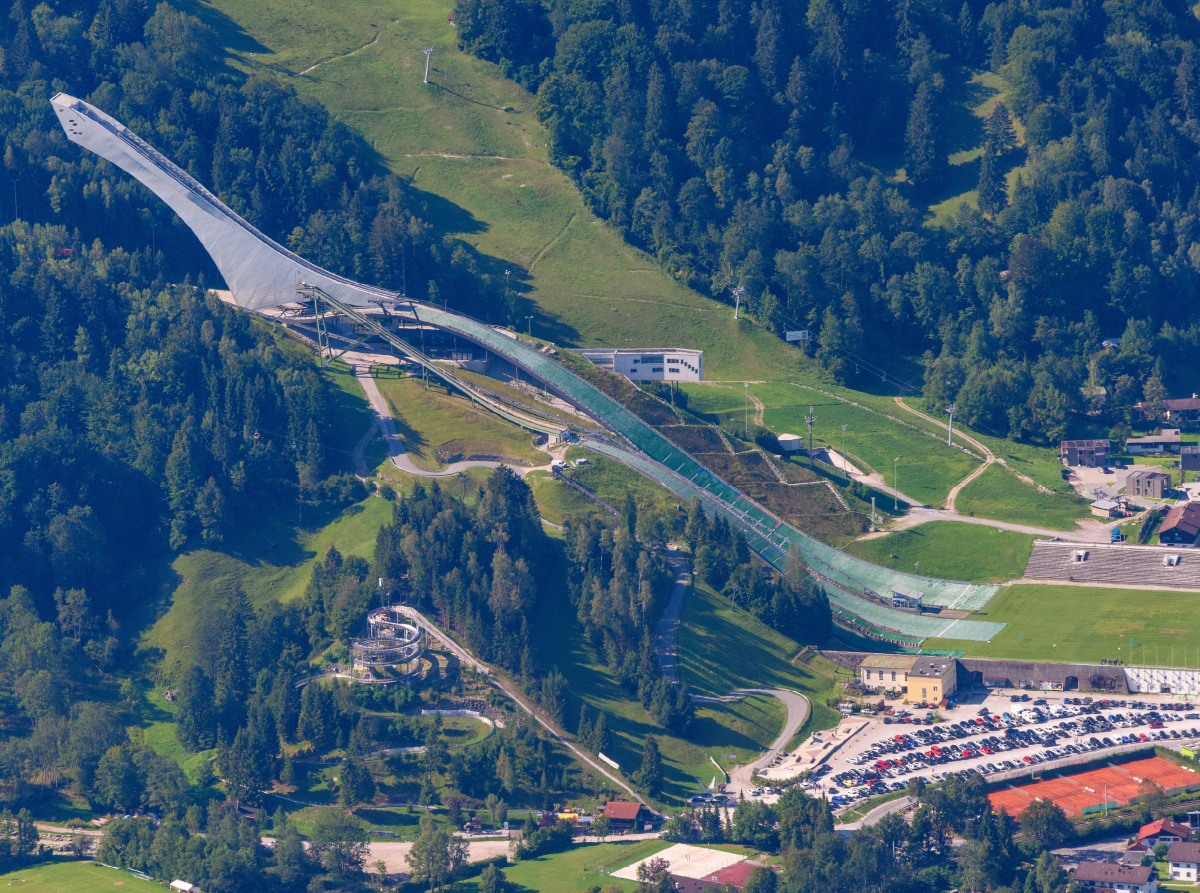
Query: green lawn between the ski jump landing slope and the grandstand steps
{"type": "Point", "coordinates": [956, 552]}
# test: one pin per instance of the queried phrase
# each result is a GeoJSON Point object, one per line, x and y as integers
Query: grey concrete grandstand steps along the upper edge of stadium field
{"type": "Point", "coordinates": [1130, 566]}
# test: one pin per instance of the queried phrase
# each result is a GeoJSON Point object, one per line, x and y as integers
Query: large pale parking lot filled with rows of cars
{"type": "Point", "coordinates": [1000, 739]}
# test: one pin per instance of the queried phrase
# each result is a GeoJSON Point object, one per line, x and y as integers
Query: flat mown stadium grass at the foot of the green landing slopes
{"type": "Point", "coordinates": [1078, 624]}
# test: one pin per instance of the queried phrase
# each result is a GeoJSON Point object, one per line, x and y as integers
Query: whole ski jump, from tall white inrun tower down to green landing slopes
{"type": "Point", "coordinates": [263, 274]}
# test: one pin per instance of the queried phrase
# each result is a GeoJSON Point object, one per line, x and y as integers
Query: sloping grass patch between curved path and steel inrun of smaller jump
{"type": "Point", "coordinates": [429, 421]}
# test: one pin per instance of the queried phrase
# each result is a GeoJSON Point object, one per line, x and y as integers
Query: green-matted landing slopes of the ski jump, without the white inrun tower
{"type": "Point", "coordinates": [767, 535]}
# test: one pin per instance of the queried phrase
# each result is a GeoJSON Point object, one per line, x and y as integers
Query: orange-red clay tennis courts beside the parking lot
{"type": "Point", "coordinates": [1085, 793]}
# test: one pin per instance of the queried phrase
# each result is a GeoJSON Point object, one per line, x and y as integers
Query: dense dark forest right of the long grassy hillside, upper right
{"type": "Point", "coordinates": [791, 151]}
